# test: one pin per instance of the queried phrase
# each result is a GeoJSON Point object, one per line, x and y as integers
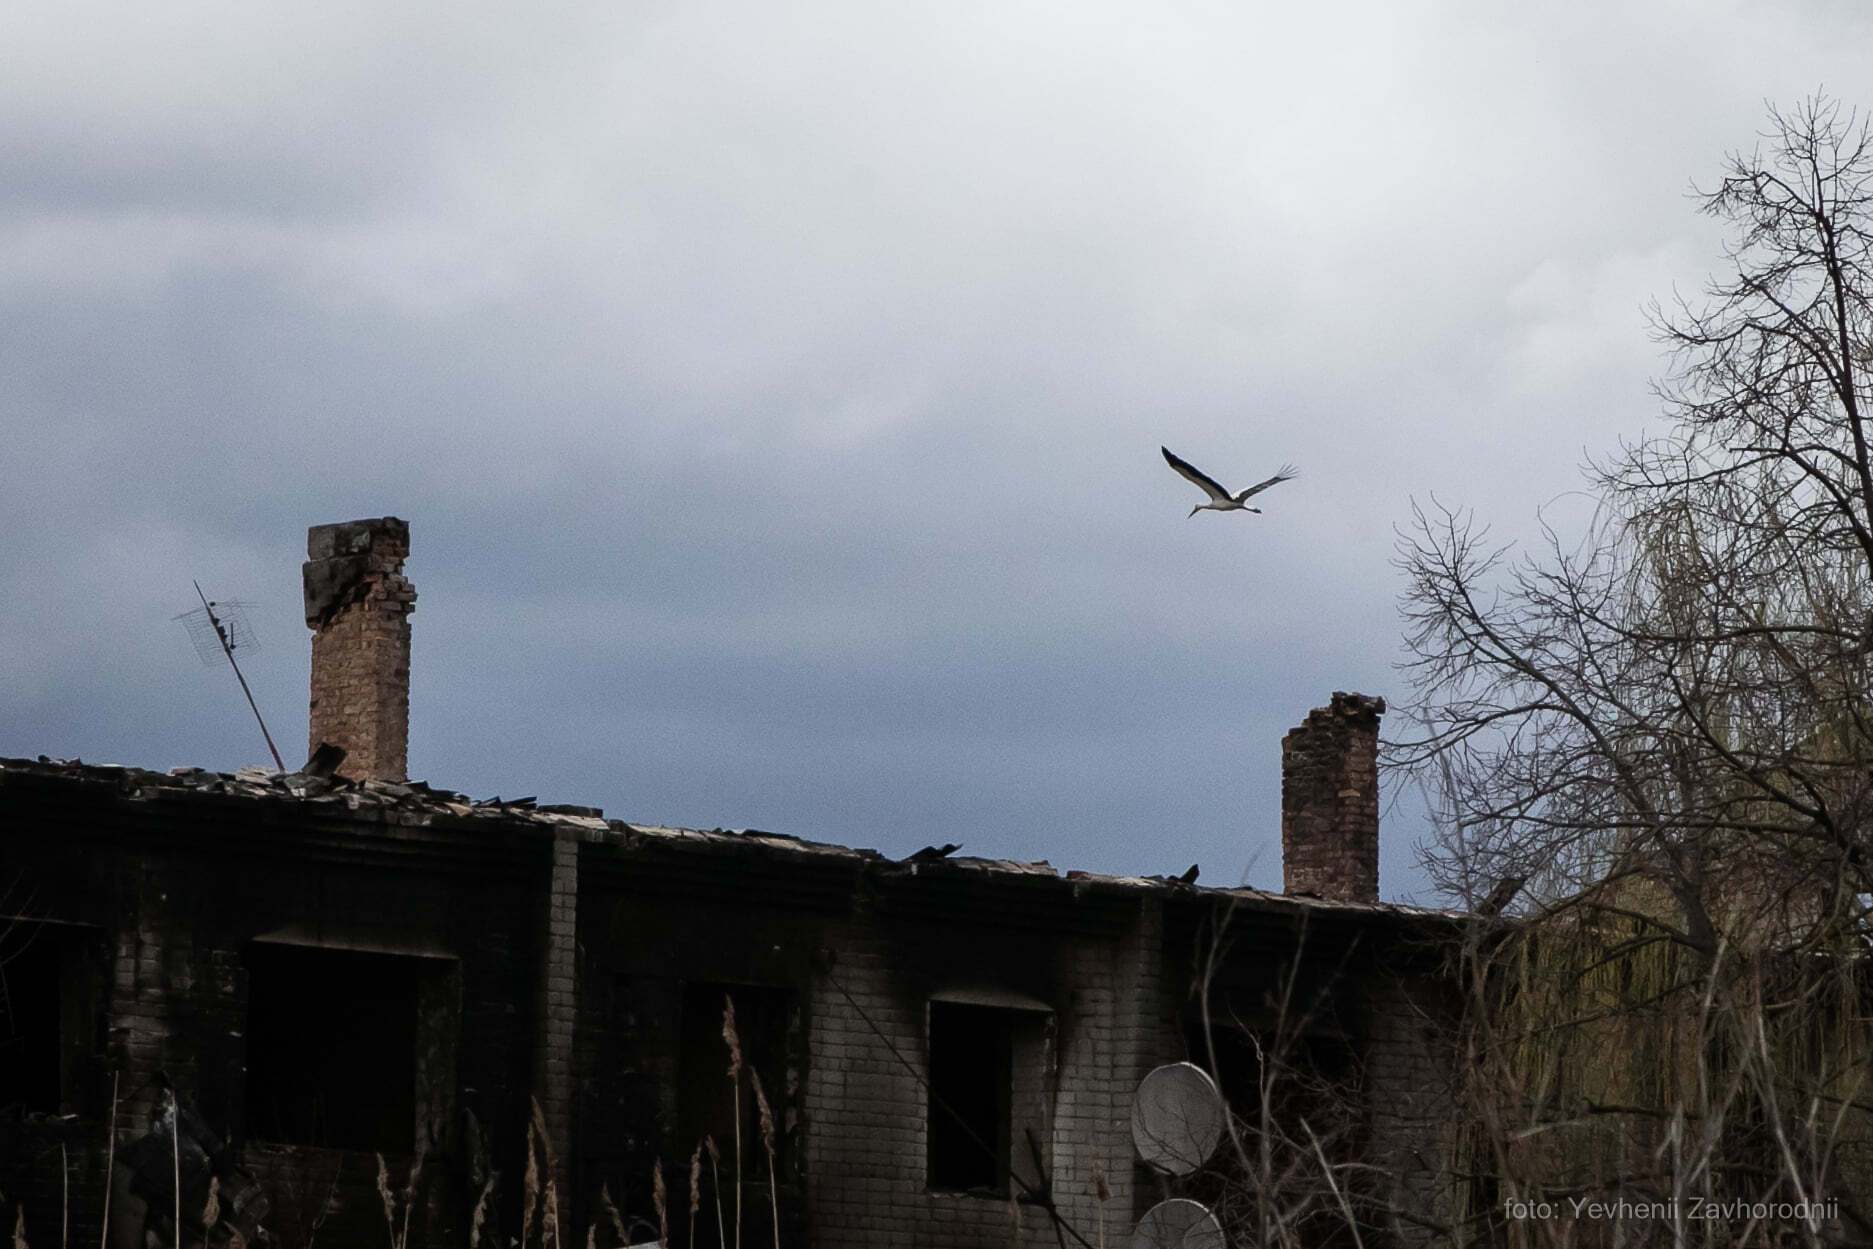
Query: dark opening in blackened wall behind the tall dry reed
{"type": "Point", "coordinates": [709, 1102]}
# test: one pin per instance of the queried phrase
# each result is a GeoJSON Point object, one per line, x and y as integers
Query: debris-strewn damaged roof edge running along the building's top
{"type": "Point", "coordinates": [417, 802]}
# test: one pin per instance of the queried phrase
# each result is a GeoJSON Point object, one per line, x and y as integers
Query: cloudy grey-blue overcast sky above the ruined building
{"type": "Point", "coordinates": [774, 390]}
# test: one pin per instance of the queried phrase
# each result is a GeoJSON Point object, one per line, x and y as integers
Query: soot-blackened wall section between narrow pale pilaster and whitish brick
{"type": "Point", "coordinates": [664, 939]}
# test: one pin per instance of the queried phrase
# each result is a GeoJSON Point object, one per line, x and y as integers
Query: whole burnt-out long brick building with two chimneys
{"type": "Point", "coordinates": [340, 965]}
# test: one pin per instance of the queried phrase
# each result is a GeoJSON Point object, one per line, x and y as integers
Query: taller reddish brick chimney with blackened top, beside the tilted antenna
{"type": "Point", "coordinates": [359, 608]}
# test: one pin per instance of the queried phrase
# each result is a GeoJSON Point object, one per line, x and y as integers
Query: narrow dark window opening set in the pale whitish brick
{"type": "Point", "coordinates": [969, 1098]}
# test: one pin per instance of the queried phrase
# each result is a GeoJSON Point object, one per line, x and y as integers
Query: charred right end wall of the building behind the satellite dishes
{"type": "Point", "coordinates": [1351, 1018]}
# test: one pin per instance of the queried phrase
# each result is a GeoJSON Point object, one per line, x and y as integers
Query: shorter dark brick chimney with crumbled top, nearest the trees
{"type": "Point", "coordinates": [1331, 802]}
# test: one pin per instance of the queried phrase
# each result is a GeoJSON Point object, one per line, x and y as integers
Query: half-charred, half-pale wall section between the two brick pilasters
{"type": "Point", "coordinates": [834, 975]}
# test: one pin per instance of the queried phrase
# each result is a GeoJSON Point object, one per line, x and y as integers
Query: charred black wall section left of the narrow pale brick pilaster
{"type": "Point", "coordinates": [186, 902]}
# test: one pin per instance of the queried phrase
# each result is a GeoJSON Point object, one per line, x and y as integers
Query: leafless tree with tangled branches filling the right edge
{"type": "Point", "coordinates": [1666, 729]}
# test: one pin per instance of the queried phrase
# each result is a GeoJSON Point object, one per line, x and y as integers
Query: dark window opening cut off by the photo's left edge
{"type": "Point", "coordinates": [38, 1005]}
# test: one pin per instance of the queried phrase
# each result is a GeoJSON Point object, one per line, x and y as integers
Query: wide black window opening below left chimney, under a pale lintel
{"type": "Point", "coordinates": [332, 1048]}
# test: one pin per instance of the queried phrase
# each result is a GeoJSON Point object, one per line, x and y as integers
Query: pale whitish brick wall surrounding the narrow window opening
{"type": "Point", "coordinates": [868, 1106]}
